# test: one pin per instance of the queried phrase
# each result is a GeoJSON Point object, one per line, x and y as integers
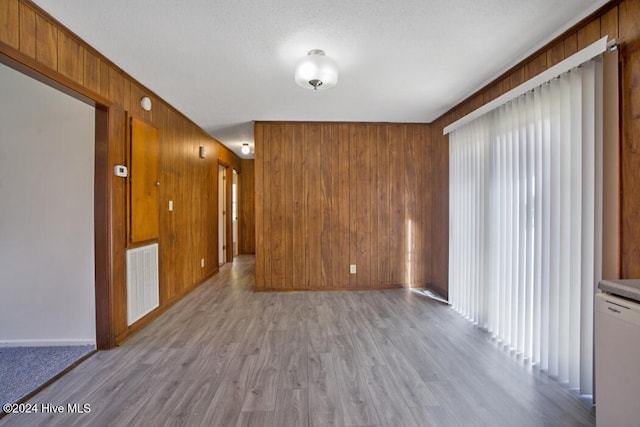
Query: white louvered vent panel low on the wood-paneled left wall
{"type": "Point", "coordinates": [143, 290]}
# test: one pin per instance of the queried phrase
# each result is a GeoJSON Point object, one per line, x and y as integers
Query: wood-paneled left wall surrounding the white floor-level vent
{"type": "Point", "coordinates": [38, 45]}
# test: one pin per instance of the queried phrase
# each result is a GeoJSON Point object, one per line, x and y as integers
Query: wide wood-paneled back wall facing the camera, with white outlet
{"type": "Point", "coordinates": [333, 194]}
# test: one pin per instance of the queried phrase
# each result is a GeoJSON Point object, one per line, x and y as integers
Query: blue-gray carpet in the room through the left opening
{"type": "Point", "coordinates": [24, 369]}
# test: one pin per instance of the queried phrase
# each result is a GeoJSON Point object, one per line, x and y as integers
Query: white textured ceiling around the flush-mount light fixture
{"type": "Point", "coordinates": [225, 64]}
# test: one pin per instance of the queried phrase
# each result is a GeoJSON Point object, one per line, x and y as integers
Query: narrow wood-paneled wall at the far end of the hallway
{"type": "Point", "coordinates": [247, 206]}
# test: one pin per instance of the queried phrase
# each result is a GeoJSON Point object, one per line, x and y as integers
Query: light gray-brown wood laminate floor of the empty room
{"type": "Point", "coordinates": [227, 356]}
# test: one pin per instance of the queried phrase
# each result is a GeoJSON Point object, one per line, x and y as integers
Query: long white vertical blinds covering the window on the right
{"type": "Point", "coordinates": [524, 222]}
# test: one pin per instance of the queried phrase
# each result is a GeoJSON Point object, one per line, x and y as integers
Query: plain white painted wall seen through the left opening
{"type": "Point", "coordinates": [47, 283]}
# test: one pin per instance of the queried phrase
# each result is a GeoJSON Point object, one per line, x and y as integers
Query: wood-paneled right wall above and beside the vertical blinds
{"type": "Point", "coordinates": [619, 20]}
